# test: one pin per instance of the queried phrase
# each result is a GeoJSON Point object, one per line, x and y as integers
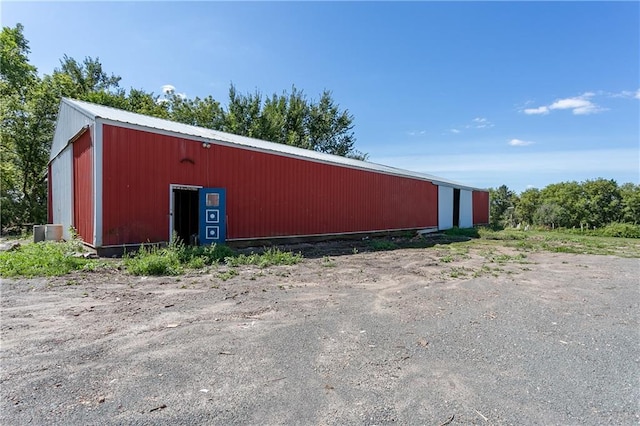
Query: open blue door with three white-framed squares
{"type": "Point", "coordinates": [212, 227]}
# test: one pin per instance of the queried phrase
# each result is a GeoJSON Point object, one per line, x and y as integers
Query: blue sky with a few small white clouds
{"type": "Point", "coordinates": [517, 93]}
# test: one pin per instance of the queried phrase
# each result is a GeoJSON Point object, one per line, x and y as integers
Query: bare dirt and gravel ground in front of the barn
{"type": "Point", "coordinates": [410, 336]}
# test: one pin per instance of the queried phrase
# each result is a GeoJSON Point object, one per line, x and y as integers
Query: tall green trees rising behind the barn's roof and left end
{"type": "Point", "coordinates": [29, 106]}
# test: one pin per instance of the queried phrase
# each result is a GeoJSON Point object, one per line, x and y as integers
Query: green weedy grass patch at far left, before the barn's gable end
{"type": "Point", "coordinates": [44, 259]}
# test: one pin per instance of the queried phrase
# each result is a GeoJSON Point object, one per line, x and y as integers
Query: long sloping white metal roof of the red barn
{"type": "Point", "coordinates": [115, 115]}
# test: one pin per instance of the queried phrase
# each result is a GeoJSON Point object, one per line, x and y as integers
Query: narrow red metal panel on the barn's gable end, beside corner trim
{"type": "Point", "coordinates": [83, 187]}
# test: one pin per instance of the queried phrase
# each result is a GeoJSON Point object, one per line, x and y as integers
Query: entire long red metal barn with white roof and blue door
{"type": "Point", "coordinates": [121, 178]}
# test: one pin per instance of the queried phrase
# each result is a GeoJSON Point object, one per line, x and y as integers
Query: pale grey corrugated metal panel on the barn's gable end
{"type": "Point", "coordinates": [62, 190]}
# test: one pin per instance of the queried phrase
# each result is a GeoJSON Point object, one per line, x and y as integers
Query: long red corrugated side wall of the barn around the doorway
{"type": "Point", "coordinates": [267, 195]}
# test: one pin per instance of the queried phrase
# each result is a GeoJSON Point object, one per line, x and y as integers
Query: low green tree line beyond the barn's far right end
{"type": "Point", "coordinates": [590, 204]}
